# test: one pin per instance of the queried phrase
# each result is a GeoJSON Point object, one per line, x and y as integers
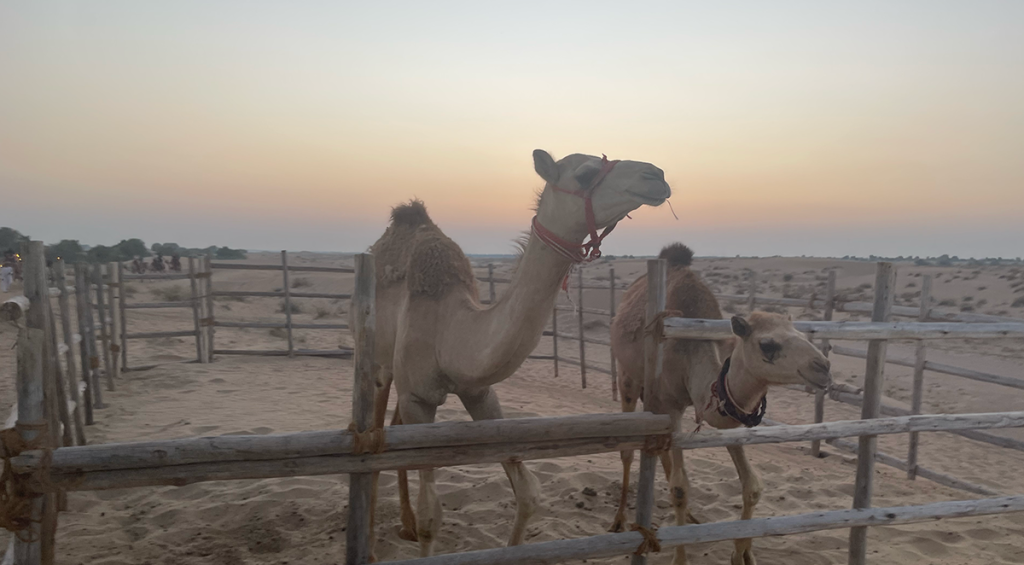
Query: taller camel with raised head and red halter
{"type": "Point", "coordinates": [436, 338]}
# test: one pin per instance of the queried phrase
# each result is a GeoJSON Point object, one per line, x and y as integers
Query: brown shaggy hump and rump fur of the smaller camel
{"type": "Point", "coordinates": [686, 294]}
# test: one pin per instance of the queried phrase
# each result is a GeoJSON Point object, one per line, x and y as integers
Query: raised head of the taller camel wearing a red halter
{"type": "Point", "coordinates": [625, 187]}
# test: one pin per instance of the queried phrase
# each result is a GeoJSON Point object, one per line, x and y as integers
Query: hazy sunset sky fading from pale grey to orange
{"type": "Point", "coordinates": [785, 128]}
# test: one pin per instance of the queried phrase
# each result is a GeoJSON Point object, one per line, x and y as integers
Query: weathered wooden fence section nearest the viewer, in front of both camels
{"type": "Point", "coordinates": [188, 461]}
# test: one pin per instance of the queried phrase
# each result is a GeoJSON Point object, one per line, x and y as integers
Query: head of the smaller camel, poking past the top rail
{"type": "Point", "coordinates": [775, 352]}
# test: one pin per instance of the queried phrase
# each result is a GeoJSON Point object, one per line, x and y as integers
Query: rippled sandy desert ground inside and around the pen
{"type": "Point", "coordinates": [303, 520]}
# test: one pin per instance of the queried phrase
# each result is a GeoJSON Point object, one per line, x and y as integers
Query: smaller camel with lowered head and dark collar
{"type": "Point", "coordinates": [765, 351]}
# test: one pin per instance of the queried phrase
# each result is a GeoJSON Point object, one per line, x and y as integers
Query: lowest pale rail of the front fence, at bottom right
{"type": "Point", "coordinates": [613, 545]}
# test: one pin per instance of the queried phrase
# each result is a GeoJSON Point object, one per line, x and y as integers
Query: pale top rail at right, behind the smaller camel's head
{"type": "Point", "coordinates": [721, 329]}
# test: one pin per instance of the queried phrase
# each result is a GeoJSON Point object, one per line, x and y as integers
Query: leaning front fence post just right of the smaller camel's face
{"type": "Point", "coordinates": [885, 283]}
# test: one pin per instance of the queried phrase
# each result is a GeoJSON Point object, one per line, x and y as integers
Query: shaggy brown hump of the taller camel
{"type": "Point", "coordinates": [414, 249]}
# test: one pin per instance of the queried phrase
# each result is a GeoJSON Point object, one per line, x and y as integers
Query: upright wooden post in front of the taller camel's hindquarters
{"type": "Point", "coordinates": [359, 535]}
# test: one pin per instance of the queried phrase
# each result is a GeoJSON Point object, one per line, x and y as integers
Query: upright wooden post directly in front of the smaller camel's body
{"type": "Point", "coordinates": [653, 366]}
